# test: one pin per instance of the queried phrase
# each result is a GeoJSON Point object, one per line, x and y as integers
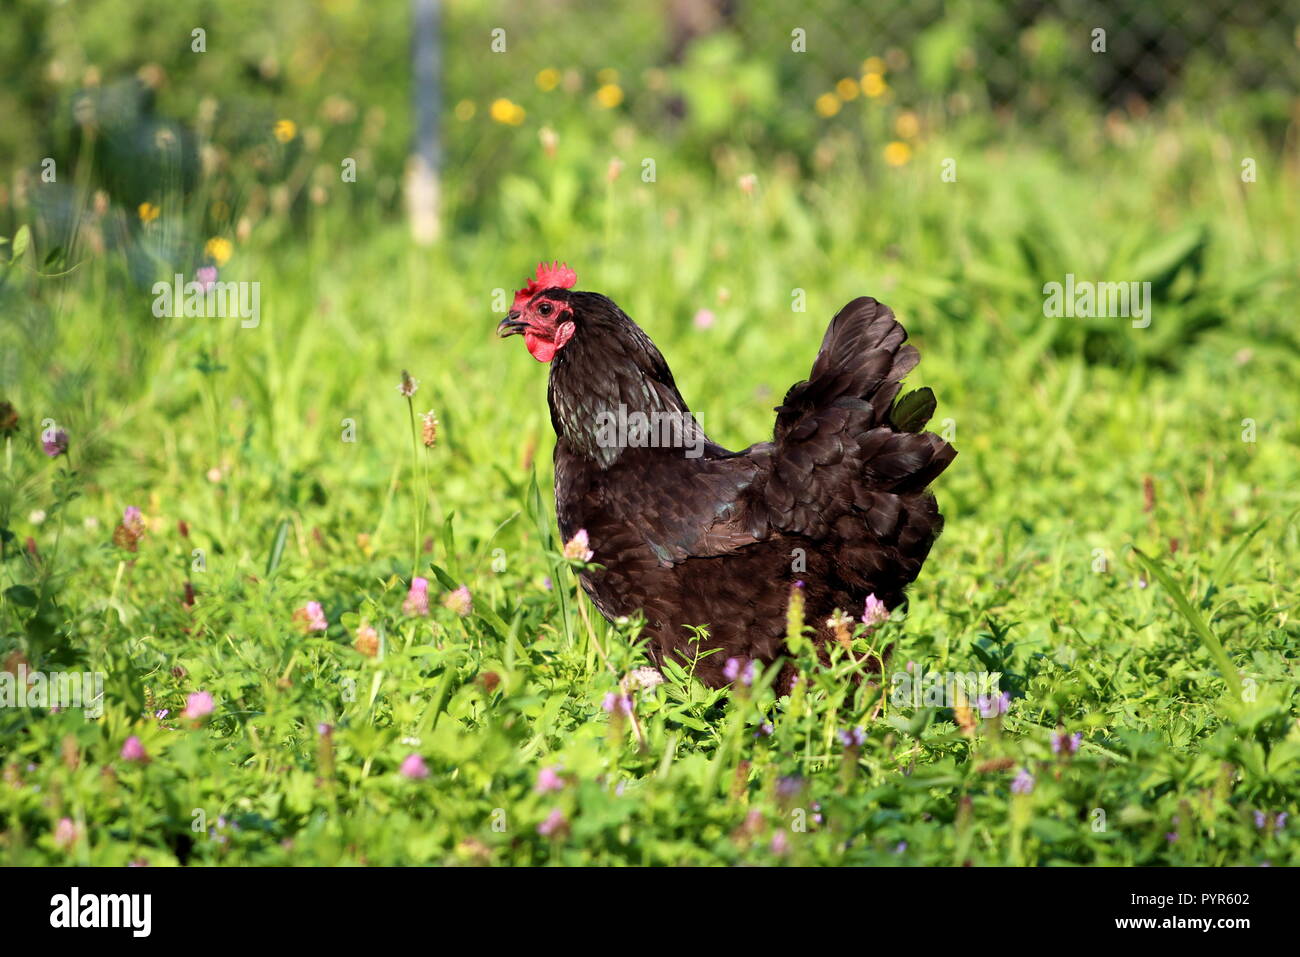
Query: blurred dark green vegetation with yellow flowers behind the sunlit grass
{"type": "Point", "coordinates": [707, 88]}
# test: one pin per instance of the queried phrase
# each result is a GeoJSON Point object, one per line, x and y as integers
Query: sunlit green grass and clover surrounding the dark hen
{"type": "Point", "coordinates": [1180, 672]}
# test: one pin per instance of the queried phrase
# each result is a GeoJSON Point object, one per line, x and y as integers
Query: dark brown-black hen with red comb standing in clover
{"type": "Point", "coordinates": [691, 534]}
